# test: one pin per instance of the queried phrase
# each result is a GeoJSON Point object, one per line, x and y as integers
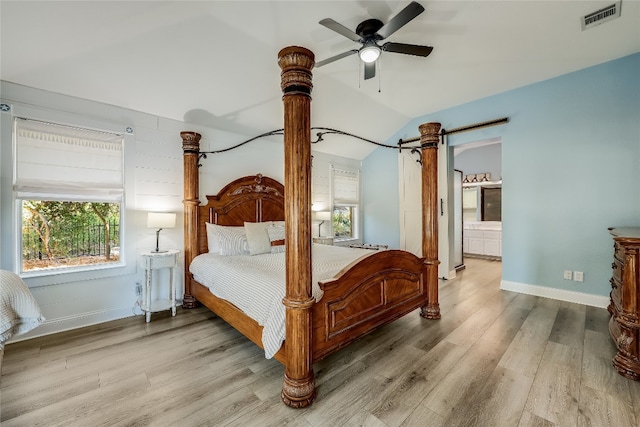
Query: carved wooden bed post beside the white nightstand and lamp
{"type": "Point", "coordinates": [191, 148]}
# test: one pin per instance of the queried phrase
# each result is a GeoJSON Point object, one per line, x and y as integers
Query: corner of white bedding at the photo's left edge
{"type": "Point", "coordinates": [19, 311]}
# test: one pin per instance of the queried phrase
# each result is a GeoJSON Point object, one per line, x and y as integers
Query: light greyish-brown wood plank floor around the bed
{"type": "Point", "coordinates": [496, 358]}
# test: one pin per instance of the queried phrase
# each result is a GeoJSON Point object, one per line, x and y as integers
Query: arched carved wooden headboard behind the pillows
{"type": "Point", "coordinates": [253, 198]}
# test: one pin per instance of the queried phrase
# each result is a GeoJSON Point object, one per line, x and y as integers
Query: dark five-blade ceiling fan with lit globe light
{"type": "Point", "coordinates": [370, 32]}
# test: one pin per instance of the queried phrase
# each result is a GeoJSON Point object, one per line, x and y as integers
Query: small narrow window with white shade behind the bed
{"type": "Point", "coordinates": [346, 199]}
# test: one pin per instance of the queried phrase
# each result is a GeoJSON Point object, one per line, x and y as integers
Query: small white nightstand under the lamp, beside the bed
{"type": "Point", "coordinates": [155, 261]}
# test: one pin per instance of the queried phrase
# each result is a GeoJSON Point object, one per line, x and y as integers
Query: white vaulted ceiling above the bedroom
{"type": "Point", "coordinates": [215, 62]}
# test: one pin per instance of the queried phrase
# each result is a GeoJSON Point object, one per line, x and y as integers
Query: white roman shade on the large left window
{"type": "Point", "coordinates": [57, 162]}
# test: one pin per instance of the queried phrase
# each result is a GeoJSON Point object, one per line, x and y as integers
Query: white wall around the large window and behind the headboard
{"type": "Point", "coordinates": [154, 182]}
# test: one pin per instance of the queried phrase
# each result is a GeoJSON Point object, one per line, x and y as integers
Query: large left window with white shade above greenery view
{"type": "Point", "coordinates": [69, 186]}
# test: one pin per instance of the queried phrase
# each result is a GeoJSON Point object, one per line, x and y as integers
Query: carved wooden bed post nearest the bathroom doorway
{"type": "Point", "coordinates": [429, 140]}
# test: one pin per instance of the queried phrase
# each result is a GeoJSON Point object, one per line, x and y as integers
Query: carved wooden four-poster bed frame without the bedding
{"type": "Point", "coordinates": [368, 293]}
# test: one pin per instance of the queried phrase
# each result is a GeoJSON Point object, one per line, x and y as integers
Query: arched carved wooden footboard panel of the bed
{"type": "Point", "coordinates": [365, 295]}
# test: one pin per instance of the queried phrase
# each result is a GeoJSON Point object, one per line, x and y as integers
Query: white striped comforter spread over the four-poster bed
{"type": "Point", "coordinates": [256, 284]}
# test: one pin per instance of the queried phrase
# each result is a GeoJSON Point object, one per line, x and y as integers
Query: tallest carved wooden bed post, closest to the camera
{"type": "Point", "coordinates": [298, 389]}
